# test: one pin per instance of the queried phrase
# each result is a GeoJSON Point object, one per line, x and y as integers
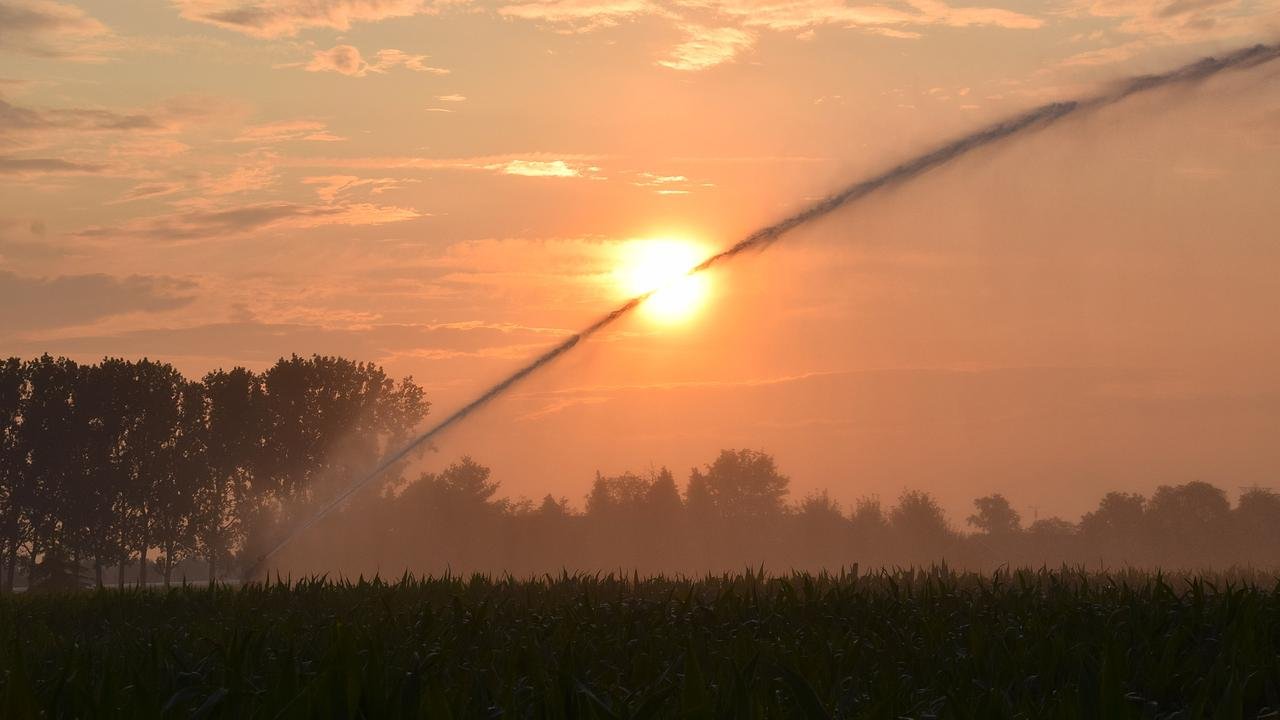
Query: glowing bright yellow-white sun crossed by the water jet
{"type": "Point", "coordinates": [662, 266]}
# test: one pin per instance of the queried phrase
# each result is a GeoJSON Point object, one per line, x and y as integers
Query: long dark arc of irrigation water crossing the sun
{"type": "Point", "coordinates": [1027, 122]}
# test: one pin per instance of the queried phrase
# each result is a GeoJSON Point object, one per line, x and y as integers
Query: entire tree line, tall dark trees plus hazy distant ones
{"type": "Point", "coordinates": [115, 468]}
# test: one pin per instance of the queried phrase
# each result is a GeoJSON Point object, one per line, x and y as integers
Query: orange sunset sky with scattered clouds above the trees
{"type": "Point", "coordinates": [449, 189]}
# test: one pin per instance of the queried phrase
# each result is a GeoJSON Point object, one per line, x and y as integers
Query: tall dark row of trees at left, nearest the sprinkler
{"type": "Point", "coordinates": [127, 462]}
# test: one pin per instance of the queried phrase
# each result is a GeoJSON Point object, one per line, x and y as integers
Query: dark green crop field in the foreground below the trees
{"type": "Point", "coordinates": [917, 645]}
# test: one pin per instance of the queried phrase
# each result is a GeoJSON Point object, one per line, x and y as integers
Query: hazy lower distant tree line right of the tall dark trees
{"type": "Point", "coordinates": [737, 513]}
